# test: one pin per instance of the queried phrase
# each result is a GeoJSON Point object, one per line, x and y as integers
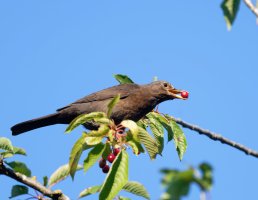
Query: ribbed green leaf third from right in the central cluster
{"type": "Point", "coordinates": [149, 143]}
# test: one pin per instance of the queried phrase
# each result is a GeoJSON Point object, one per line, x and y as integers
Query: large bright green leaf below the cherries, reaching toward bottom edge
{"type": "Point", "coordinates": [116, 178]}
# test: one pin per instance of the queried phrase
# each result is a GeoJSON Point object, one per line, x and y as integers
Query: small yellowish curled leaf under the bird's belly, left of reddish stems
{"type": "Point", "coordinates": [95, 137]}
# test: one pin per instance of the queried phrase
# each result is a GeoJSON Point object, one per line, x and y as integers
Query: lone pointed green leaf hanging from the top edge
{"type": "Point", "coordinates": [230, 10]}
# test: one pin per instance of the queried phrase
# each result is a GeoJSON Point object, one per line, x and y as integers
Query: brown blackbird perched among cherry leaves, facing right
{"type": "Point", "coordinates": [135, 102]}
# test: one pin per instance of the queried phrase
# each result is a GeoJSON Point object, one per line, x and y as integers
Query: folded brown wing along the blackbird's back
{"type": "Point", "coordinates": [123, 89]}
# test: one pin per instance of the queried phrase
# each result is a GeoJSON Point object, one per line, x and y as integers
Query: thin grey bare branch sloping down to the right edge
{"type": "Point", "coordinates": [217, 137]}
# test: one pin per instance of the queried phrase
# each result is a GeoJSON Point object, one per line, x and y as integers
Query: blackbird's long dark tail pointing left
{"type": "Point", "coordinates": [35, 123]}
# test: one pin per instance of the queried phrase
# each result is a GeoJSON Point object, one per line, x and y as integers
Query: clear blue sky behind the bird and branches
{"type": "Point", "coordinates": [54, 52]}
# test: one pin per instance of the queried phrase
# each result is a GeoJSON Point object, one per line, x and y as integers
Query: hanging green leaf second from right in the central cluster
{"type": "Point", "coordinates": [157, 130]}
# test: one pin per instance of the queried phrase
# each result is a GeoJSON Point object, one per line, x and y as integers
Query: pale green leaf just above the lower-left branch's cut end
{"type": "Point", "coordinates": [60, 174]}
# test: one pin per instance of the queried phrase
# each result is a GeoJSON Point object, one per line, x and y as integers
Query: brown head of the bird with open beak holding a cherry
{"type": "Point", "coordinates": [165, 91]}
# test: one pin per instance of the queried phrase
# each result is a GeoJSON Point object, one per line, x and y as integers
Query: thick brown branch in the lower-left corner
{"type": "Point", "coordinates": [55, 195]}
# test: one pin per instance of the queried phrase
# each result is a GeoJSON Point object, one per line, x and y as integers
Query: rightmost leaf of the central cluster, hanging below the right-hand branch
{"type": "Point", "coordinates": [179, 139]}
